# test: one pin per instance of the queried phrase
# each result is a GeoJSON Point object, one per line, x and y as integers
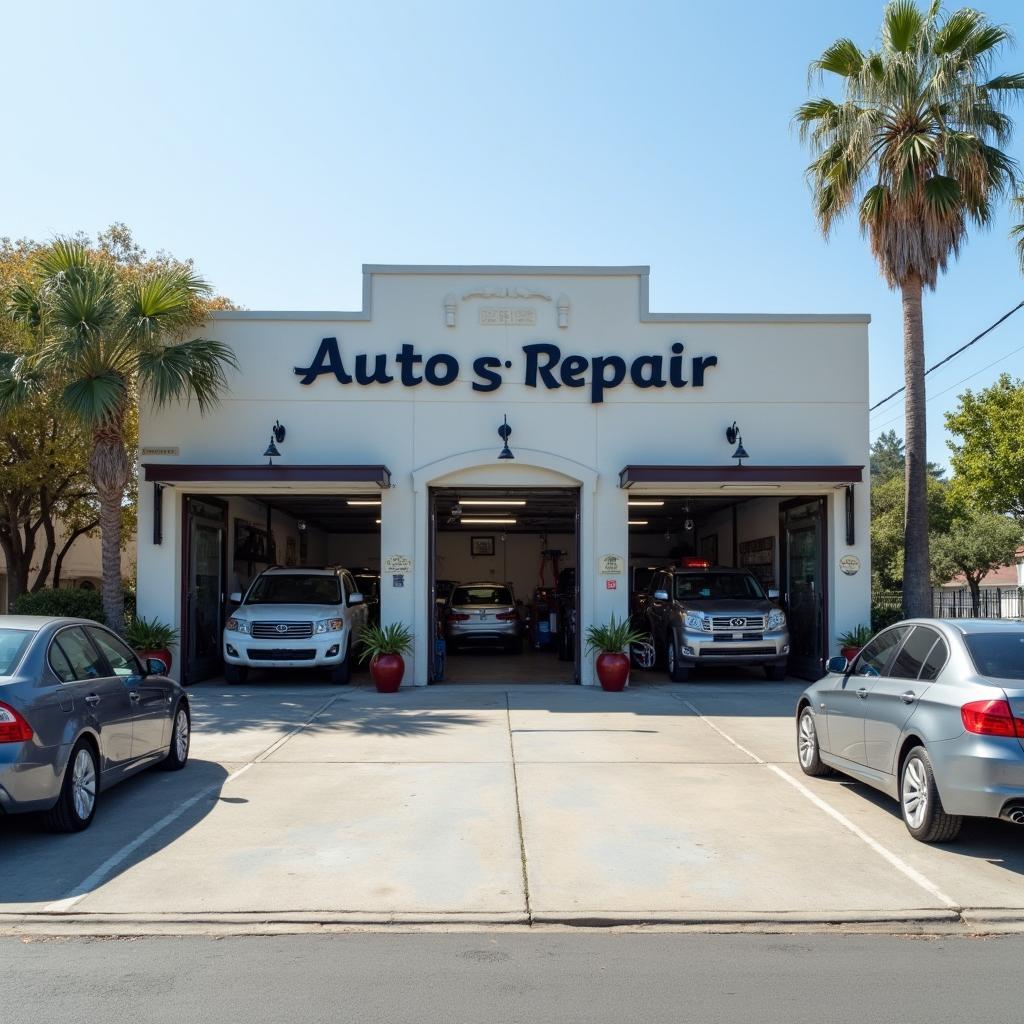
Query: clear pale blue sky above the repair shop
{"type": "Point", "coordinates": [283, 146]}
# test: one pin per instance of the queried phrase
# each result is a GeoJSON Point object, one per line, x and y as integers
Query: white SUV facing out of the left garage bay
{"type": "Point", "coordinates": [295, 619]}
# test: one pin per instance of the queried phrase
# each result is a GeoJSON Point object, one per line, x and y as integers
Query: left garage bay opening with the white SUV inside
{"type": "Point", "coordinates": [234, 540]}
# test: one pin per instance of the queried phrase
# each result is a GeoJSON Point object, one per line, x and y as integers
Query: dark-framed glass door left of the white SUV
{"type": "Point", "coordinates": [207, 531]}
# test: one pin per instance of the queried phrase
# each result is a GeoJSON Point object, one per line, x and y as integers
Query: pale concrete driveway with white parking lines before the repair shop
{"type": "Point", "coordinates": [502, 805]}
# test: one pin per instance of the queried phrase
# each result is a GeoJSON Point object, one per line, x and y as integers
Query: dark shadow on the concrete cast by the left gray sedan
{"type": "Point", "coordinates": [39, 868]}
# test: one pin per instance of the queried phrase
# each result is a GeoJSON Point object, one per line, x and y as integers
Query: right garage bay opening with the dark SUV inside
{"type": "Point", "coordinates": [729, 585]}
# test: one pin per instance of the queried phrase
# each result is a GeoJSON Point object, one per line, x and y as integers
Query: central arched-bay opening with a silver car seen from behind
{"type": "Point", "coordinates": [504, 585]}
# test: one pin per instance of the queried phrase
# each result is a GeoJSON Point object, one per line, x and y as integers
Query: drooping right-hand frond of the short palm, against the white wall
{"type": "Point", "coordinates": [187, 371]}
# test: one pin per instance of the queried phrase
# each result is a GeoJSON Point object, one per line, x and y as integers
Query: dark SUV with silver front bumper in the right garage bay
{"type": "Point", "coordinates": [714, 617]}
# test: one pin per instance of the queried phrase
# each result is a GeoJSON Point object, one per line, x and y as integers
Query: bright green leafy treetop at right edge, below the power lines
{"type": "Point", "coordinates": [990, 458]}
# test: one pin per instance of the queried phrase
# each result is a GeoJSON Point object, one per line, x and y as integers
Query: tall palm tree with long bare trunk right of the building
{"type": "Point", "coordinates": [914, 144]}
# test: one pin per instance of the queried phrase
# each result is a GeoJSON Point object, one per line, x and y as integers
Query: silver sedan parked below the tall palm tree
{"type": "Point", "coordinates": [931, 712]}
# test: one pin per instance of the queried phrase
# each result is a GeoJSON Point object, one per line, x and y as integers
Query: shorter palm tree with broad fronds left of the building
{"type": "Point", "coordinates": [108, 338]}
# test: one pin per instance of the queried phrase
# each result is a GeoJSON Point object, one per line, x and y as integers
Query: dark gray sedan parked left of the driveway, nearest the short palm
{"type": "Point", "coordinates": [78, 714]}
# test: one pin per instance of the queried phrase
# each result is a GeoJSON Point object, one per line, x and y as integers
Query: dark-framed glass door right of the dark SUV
{"type": "Point", "coordinates": [804, 584]}
